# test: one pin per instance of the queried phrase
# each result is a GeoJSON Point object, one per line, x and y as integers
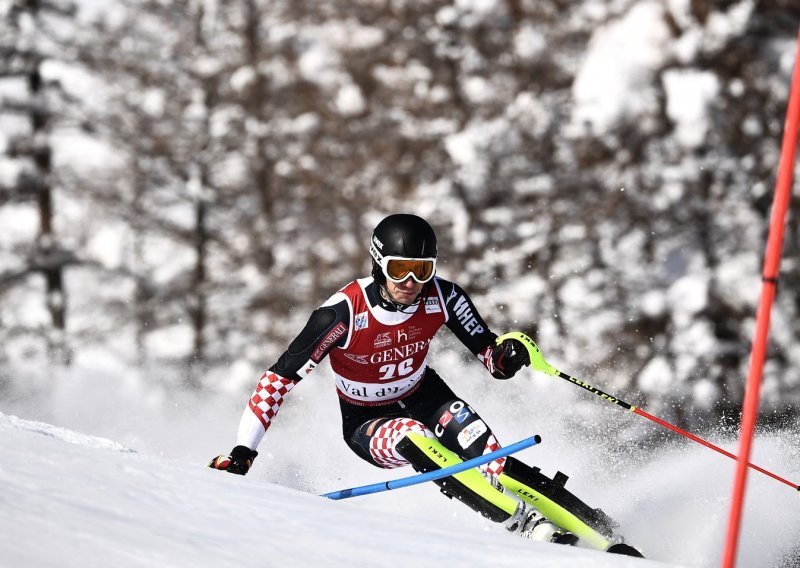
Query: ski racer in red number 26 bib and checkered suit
{"type": "Point", "coordinates": [376, 332]}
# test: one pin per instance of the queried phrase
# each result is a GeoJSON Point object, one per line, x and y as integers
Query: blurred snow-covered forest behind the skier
{"type": "Point", "coordinates": [183, 181]}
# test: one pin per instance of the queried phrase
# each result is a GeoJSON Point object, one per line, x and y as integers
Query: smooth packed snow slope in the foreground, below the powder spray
{"type": "Point", "coordinates": [70, 499]}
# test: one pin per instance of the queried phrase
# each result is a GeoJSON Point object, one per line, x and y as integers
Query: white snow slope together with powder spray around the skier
{"type": "Point", "coordinates": [132, 489]}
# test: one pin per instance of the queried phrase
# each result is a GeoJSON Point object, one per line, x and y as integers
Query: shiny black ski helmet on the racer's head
{"type": "Point", "coordinates": [403, 235]}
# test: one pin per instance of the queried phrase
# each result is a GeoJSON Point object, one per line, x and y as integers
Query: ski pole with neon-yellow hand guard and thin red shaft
{"type": "Point", "coordinates": [538, 363]}
